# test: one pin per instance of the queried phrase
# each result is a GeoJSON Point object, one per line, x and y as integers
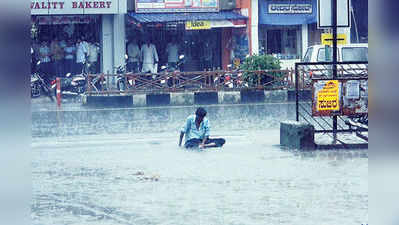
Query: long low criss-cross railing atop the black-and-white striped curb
{"type": "Point", "coordinates": [164, 82]}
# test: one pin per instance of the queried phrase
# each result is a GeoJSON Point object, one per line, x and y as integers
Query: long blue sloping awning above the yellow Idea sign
{"type": "Point", "coordinates": [176, 17]}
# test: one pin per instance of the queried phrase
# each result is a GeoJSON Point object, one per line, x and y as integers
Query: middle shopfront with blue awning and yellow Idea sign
{"type": "Point", "coordinates": [208, 38]}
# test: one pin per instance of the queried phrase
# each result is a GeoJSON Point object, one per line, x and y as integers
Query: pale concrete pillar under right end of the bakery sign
{"type": "Point", "coordinates": [107, 44]}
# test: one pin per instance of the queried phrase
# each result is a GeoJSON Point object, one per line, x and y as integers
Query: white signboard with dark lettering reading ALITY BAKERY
{"type": "Point", "coordinates": [69, 7]}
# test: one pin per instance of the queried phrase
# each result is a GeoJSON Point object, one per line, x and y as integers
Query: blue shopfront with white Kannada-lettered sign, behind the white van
{"type": "Point", "coordinates": [286, 28]}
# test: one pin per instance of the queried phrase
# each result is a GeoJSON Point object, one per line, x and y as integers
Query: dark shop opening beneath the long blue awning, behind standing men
{"type": "Point", "coordinates": [202, 49]}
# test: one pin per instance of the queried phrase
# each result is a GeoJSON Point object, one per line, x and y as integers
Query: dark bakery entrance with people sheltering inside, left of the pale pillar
{"type": "Point", "coordinates": [63, 33]}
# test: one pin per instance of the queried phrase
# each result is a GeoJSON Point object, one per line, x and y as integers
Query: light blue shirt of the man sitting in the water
{"type": "Point", "coordinates": [191, 131]}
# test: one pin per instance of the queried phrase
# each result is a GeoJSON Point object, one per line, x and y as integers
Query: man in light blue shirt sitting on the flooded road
{"type": "Point", "coordinates": [197, 130]}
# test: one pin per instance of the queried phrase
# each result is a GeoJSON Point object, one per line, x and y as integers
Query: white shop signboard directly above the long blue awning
{"type": "Point", "coordinates": [157, 6]}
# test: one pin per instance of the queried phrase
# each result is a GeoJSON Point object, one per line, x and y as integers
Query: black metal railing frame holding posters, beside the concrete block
{"type": "Point", "coordinates": [309, 74]}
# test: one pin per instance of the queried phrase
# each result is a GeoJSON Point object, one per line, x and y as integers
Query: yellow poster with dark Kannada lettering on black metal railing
{"type": "Point", "coordinates": [328, 97]}
